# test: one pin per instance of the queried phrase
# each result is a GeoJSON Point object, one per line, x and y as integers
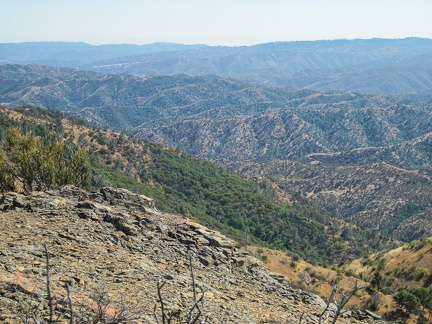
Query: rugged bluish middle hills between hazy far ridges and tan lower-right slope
{"type": "Point", "coordinates": [224, 116]}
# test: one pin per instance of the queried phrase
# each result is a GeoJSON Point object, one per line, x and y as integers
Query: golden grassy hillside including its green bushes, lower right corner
{"type": "Point", "coordinates": [406, 268]}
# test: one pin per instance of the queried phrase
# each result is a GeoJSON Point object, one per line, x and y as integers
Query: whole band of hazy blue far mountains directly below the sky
{"type": "Point", "coordinates": [390, 66]}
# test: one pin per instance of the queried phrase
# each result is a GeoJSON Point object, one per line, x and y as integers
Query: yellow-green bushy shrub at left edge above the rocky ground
{"type": "Point", "coordinates": [34, 163]}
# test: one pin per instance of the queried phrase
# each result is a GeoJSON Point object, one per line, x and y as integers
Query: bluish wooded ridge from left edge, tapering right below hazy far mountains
{"type": "Point", "coordinates": [124, 101]}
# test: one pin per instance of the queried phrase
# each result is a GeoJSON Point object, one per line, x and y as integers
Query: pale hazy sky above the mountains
{"type": "Point", "coordinates": [213, 22]}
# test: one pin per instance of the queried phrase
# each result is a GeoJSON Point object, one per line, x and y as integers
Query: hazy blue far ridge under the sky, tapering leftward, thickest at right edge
{"type": "Point", "coordinates": [399, 66]}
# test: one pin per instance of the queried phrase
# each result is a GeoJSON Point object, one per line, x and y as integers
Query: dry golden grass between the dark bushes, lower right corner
{"type": "Point", "coordinates": [320, 278]}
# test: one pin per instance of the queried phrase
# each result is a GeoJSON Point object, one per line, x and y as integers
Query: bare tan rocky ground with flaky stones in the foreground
{"type": "Point", "coordinates": [113, 248]}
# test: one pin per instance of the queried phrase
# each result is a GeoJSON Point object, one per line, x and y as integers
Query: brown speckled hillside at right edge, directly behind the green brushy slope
{"type": "Point", "coordinates": [377, 195]}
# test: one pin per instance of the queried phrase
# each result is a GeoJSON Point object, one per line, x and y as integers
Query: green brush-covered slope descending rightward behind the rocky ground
{"type": "Point", "coordinates": [246, 210]}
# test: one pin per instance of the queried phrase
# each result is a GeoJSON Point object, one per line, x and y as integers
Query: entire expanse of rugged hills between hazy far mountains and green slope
{"type": "Point", "coordinates": [366, 156]}
